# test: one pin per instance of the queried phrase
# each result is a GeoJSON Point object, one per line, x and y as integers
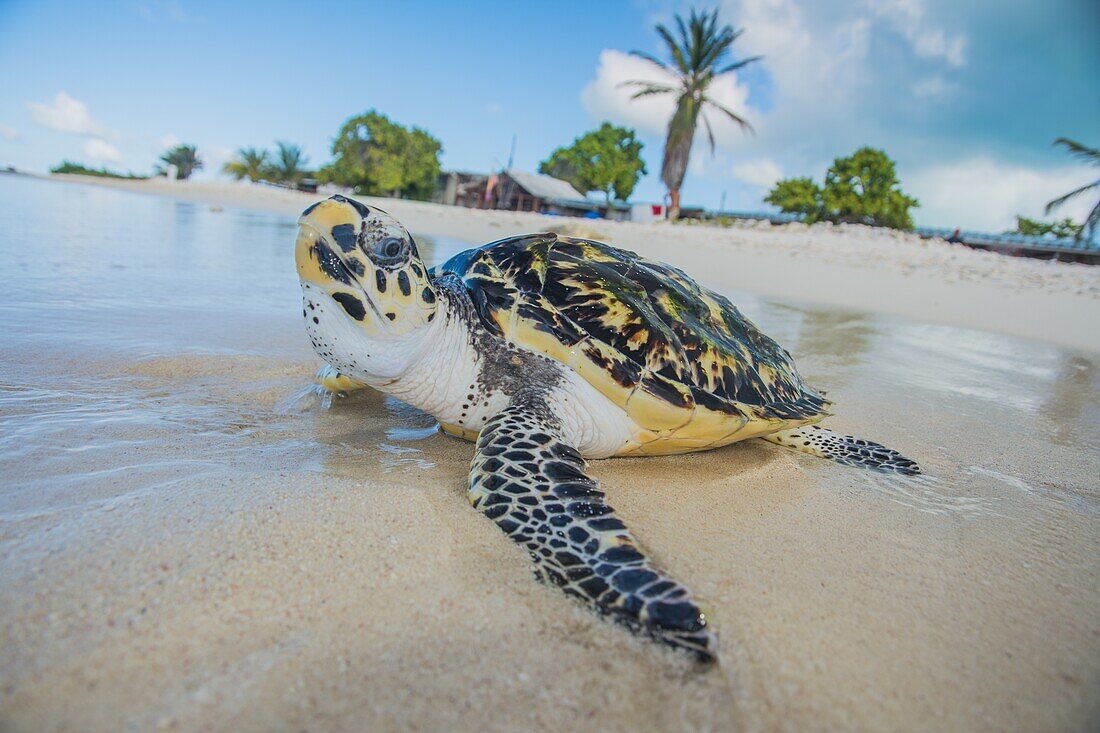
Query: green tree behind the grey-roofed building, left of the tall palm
{"type": "Point", "coordinates": [608, 160]}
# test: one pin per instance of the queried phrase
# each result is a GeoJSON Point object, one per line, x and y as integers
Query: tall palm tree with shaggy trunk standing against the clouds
{"type": "Point", "coordinates": [699, 57]}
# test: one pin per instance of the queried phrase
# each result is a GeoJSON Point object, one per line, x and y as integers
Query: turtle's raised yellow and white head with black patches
{"type": "Point", "coordinates": [361, 269]}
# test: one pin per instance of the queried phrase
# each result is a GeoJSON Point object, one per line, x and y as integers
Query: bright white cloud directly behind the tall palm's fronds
{"type": "Point", "coordinates": [606, 100]}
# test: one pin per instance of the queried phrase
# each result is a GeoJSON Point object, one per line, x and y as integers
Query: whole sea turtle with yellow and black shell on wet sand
{"type": "Point", "coordinates": [548, 351]}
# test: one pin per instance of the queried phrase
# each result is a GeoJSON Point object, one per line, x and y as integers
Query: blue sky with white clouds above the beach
{"type": "Point", "coordinates": [966, 97]}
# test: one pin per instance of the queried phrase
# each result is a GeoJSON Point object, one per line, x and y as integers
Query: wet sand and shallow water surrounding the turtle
{"type": "Point", "coordinates": [190, 542]}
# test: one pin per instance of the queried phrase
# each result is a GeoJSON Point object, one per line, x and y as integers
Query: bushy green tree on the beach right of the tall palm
{"type": "Point", "coordinates": [862, 189]}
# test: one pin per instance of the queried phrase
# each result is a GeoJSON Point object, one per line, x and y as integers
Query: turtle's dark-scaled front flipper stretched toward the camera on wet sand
{"type": "Point", "coordinates": [535, 487]}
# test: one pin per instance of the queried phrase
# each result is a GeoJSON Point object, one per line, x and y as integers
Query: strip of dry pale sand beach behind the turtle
{"type": "Point", "coordinates": [845, 267]}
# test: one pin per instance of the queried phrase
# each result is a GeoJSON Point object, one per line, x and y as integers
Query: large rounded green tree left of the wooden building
{"type": "Point", "coordinates": [378, 157]}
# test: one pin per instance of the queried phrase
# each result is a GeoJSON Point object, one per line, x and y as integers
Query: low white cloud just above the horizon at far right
{"type": "Point", "coordinates": [985, 194]}
